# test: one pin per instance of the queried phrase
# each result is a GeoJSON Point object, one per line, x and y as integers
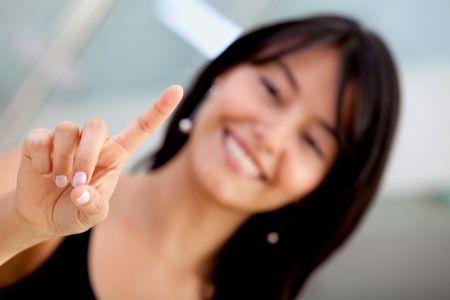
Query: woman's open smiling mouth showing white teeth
{"type": "Point", "coordinates": [239, 158]}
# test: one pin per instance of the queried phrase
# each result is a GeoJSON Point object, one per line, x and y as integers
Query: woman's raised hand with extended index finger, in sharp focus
{"type": "Point", "coordinates": [68, 175]}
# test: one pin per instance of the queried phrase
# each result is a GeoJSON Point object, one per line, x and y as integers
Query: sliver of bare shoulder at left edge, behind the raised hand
{"type": "Point", "coordinates": [10, 161]}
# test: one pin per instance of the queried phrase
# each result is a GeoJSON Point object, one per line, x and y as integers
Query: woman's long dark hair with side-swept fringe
{"type": "Point", "coordinates": [248, 267]}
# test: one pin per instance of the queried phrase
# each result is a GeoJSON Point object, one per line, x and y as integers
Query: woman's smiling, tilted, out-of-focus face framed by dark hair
{"type": "Point", "coordinates": [267, 136]}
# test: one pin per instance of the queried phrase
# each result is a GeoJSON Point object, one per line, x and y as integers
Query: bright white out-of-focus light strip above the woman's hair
{"type": "Point", "coordinates": [199, 24]}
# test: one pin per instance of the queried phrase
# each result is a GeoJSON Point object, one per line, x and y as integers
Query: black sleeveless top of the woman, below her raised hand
{"type": "Point", "coordinates": [63, 276]}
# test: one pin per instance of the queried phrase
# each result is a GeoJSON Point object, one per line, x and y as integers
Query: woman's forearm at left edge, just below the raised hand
{"type": "Point", "coordinates": [15, 235]}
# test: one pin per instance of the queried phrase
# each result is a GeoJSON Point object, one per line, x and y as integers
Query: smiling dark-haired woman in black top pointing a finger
{"type": "Point", "coordinates": [267, 167]}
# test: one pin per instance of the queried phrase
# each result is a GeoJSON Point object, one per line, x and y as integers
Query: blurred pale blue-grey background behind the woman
{"type": "Point", "coordinates": [75, 60]}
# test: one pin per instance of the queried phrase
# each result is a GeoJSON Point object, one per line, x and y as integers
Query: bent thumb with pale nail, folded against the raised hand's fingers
{"type": "Point", "coordinates": [92, 207]}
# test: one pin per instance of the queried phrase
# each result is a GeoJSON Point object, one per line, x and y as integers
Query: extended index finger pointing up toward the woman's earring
{"type": "Point", "coordinates": [150, 120]}
